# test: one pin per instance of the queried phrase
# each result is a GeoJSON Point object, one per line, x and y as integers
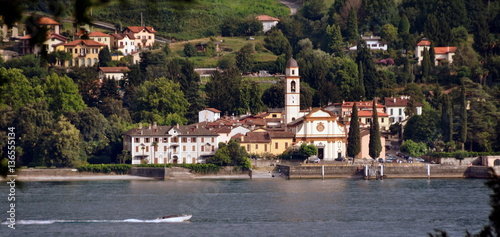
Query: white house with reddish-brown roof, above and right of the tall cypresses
{"type": "Point", "coordinates": [396, 106]}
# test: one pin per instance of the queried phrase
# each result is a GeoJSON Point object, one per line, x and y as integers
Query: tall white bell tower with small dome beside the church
{"type": "Point", "coordinates": [292, 91]}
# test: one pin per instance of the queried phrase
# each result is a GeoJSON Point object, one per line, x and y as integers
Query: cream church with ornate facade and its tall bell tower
{"type": "Point", "coordinates": [319, 126]}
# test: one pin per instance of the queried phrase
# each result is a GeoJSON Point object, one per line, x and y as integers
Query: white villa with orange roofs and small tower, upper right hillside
{"type": "Point", "coordinates": [443, 55]}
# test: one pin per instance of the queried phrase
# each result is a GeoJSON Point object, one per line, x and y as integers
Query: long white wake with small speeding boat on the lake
{"type": "Point", "coordinates": [48, 222]}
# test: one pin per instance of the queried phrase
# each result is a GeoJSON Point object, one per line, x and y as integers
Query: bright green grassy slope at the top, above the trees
{"type": "Point", "coordinates": [195, 19]}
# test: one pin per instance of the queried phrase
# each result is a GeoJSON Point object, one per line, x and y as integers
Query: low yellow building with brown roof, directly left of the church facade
{"type": "Point", "coordinates": [262, 142]}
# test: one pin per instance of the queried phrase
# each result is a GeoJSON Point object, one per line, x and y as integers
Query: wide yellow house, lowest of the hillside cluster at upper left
{"type": "Point", "coordinates": [85, 52]}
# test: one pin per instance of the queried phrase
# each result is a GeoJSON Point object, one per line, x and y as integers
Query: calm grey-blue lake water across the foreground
{"type": "Point", "coordinates": [259, 207]}
